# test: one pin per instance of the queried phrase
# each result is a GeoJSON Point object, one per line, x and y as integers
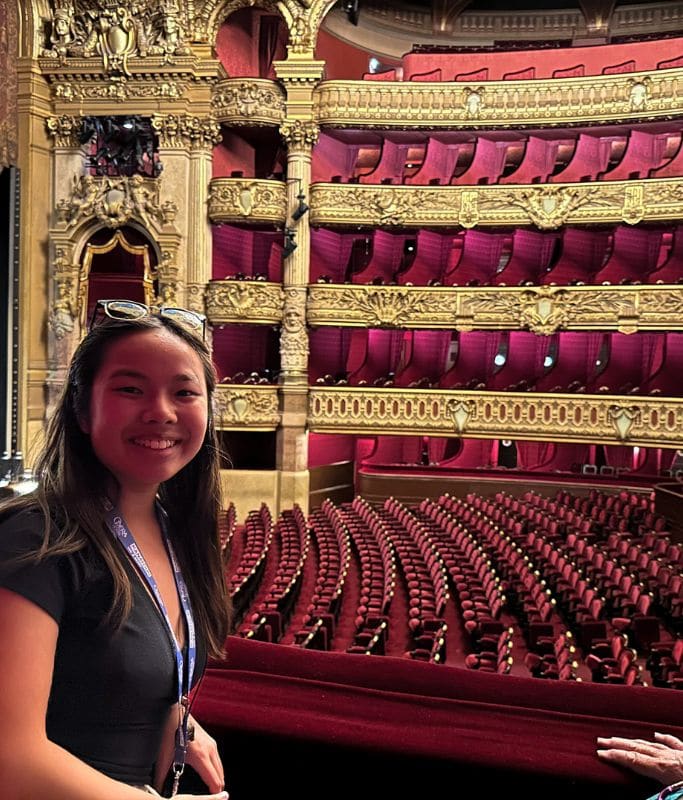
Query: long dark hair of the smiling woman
{"type": "Point", "coordinates": [73, 488]}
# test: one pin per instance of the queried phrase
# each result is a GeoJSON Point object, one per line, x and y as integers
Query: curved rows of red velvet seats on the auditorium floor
{"type": "Point", "coordinates": [590, 587]}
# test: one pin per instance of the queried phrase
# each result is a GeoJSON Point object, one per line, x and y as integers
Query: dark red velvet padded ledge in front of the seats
{"type": "Point", "coordinates": [517, 728]}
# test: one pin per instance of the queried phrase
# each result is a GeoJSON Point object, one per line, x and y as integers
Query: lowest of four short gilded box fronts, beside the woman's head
{"type": "Point", "coordinates": [254, 407]}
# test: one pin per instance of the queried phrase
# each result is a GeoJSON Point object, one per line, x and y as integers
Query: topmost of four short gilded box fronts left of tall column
{"type": "Point", "coordinates": [249, 101]}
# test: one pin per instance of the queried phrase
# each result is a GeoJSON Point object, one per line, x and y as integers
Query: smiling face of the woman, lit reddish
{"type": "Point", "coordinates": [148, 409]}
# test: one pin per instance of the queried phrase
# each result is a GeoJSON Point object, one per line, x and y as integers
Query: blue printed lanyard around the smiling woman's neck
{"type": "Point", "coordinates": [117, 525]}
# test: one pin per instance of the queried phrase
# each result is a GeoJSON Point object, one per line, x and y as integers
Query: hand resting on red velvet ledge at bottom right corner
{"type": "Point", "coordinates": [661, 760]}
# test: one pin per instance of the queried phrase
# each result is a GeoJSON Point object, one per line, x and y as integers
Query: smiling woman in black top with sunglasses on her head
{"type": "Point", "coordinates": [110, 573]}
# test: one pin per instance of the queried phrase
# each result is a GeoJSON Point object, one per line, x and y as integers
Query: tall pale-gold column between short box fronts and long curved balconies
{"type": "Point", "coordinates": [300, 132]}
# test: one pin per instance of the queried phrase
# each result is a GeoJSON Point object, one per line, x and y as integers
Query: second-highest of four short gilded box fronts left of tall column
{"type": "Point", "coordinates": [247, 200]}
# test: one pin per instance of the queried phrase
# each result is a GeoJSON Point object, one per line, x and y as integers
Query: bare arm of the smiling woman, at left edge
{"type": "Point", "coordinates": [31, 766]}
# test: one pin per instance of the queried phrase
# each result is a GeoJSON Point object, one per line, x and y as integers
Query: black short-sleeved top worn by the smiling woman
{"type": "Point", "coordinates": [111, 692]}
